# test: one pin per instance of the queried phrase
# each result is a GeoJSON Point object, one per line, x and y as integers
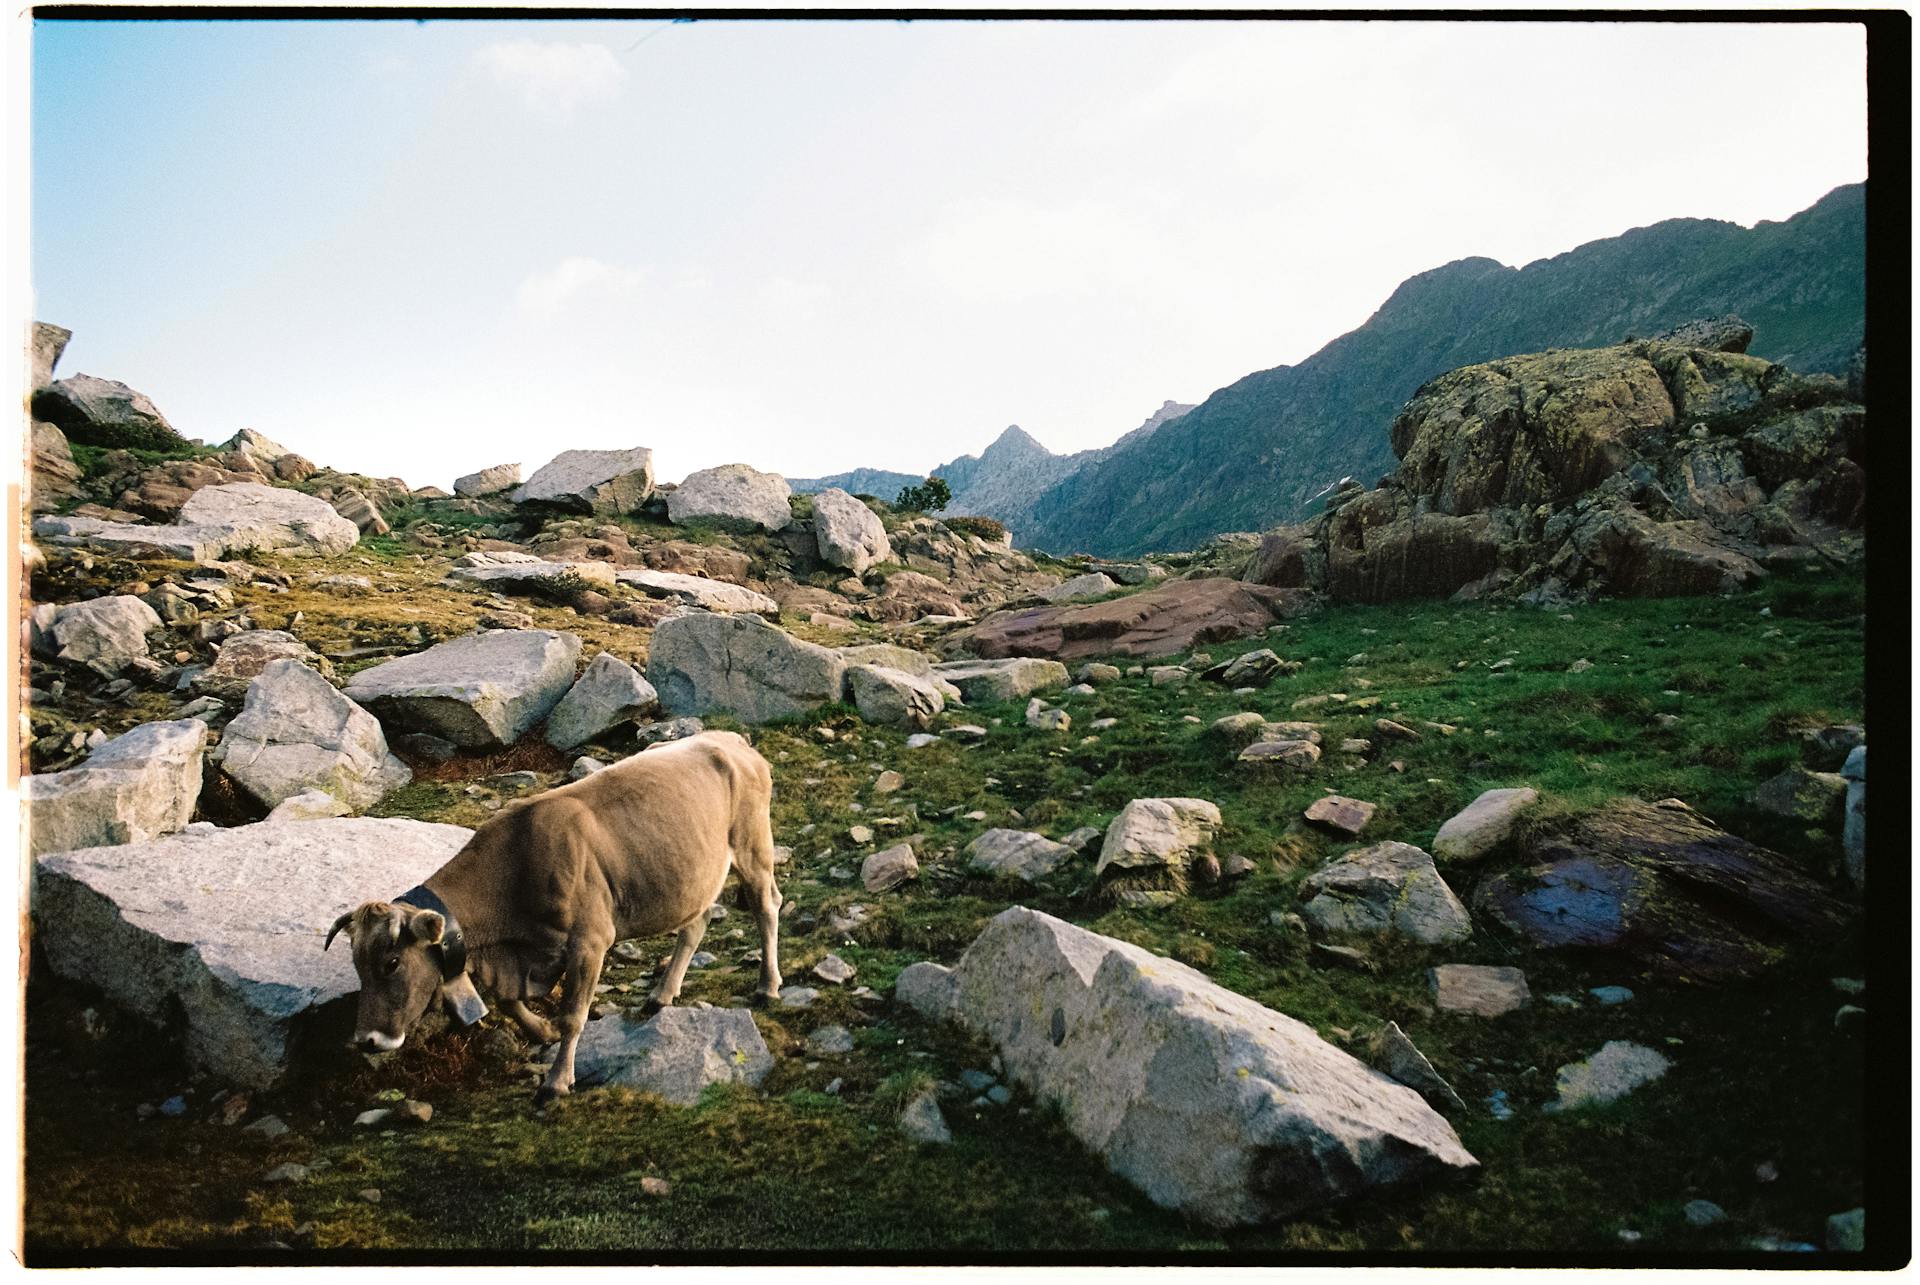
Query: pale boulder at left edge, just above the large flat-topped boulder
{"type": "Point", "coordinates": [133, 788]}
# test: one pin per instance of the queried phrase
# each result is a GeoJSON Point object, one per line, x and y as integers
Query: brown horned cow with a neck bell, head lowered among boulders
{"type": "Point", "coordinates": [542, 890]}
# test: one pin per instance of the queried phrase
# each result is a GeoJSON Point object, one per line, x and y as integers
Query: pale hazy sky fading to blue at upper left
{"type": "Point", "coordinates": [421, 249]}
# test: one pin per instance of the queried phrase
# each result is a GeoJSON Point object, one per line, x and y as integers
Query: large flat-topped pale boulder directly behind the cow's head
{"type": "Point", "coordinates": [220, 931]}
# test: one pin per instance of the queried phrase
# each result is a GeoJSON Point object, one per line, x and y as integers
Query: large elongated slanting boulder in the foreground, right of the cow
{"type": "Point", "coordinates": [1201, 1098]}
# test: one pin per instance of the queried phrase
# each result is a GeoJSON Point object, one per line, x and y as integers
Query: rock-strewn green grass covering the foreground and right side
{"type": "Point", "coordinates": [1760, 1073]}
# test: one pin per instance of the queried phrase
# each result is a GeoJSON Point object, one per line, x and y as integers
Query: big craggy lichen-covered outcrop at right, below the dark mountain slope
{"type": "Point", "coordinates": [1646, 470]}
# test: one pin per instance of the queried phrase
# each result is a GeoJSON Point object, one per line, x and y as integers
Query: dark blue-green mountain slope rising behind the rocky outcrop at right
{"type": "Point", "coordinates": [1255, 452]}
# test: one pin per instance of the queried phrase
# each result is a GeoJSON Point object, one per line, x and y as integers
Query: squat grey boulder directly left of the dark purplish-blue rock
{"type": "Point", "coordinates": [1389, 890]}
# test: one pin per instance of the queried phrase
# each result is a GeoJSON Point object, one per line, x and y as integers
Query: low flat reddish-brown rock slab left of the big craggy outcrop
{"type": "Point", "coordinates": [1166, 619]}
